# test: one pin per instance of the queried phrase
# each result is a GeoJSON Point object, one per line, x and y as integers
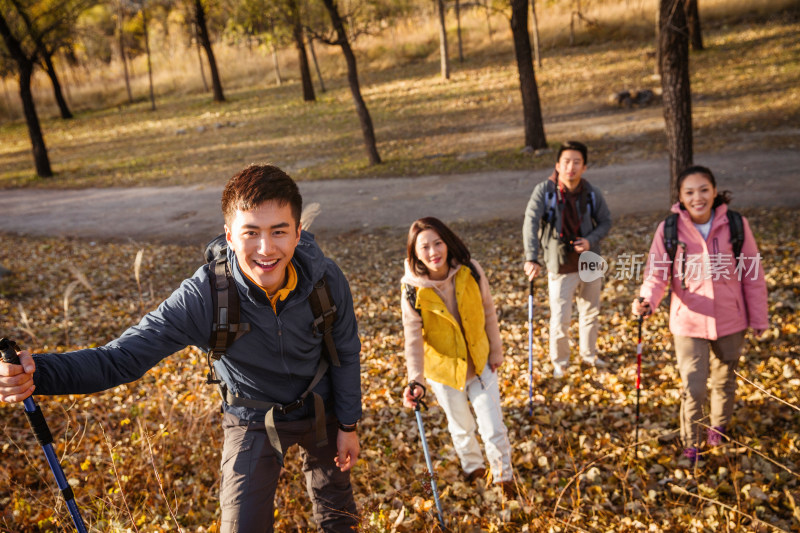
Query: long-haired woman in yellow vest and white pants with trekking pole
{"type": "Point", "coordinates": [452, 340]}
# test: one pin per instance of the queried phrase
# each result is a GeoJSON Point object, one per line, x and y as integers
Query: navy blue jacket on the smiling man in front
{"type": "Point", "coordinates": [274, 362]}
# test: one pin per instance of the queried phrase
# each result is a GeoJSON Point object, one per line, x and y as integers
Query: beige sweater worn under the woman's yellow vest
{"type": "Point", "coordinates": [446, 289]}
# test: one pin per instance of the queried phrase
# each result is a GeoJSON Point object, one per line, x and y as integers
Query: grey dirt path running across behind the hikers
{"type": "Point", "coordinates": [191, 214]}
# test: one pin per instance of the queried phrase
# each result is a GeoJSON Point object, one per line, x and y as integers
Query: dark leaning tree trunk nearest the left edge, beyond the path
{"type": "Point", "coordinates": [25, 71]}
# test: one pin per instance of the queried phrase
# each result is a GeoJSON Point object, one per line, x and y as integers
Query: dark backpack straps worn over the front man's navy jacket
{"type": "Point", "coordinates": [227, 328]}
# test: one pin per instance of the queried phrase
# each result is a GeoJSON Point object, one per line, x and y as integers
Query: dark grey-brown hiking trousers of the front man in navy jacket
{"type": "Point", "coordinates": [250, 473]}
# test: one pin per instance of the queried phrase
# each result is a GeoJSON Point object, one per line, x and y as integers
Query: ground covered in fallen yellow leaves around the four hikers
{"type": "Point", "coordinates": [145, 456]}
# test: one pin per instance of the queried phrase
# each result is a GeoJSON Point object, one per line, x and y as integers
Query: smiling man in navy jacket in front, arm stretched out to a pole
{"type": "Point", "coordinates": [275, 266]}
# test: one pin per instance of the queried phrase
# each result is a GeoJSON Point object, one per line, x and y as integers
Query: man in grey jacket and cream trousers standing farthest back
{"type": "Point", "coordinates": [566, 217]}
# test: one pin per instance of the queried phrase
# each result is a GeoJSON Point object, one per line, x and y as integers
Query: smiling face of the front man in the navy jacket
{"type": "Point", "coordinates": [264, 239]}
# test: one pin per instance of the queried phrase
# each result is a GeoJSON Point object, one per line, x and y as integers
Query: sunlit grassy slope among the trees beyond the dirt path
{"type": "Point", "coordinates": [744, 85]}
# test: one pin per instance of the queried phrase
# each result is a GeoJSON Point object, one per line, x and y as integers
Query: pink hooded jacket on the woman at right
{"type": "Point", "coordinates": [722, 295]}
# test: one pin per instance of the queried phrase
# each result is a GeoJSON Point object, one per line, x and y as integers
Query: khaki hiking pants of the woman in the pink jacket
{"type": "Point", "coordinates": [707, 365]}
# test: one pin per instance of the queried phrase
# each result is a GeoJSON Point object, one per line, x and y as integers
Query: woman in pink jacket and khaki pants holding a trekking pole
{"type": "Point", "coordinates": [715, 298]}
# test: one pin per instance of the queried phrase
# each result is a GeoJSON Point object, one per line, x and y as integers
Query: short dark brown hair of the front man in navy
{"type": "Point", "coordinates": [257, 184]}
